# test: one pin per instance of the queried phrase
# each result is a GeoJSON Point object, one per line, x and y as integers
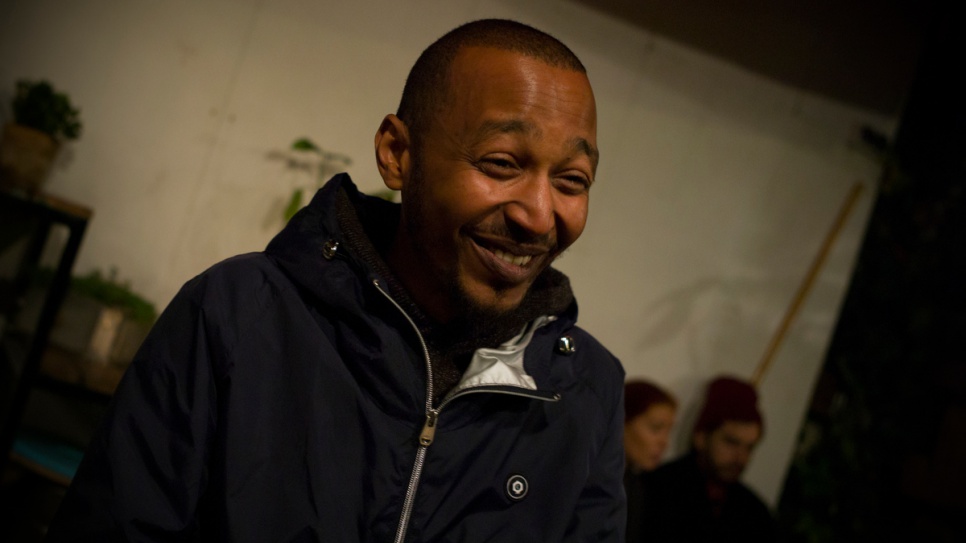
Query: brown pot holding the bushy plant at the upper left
{"type": "Point", "coordinates": [26, 156]}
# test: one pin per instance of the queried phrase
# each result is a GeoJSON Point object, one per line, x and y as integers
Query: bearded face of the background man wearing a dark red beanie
{"type": "Point", "coordinates": [724, 452]}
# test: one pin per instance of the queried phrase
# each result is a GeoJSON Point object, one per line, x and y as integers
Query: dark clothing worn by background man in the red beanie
{"type": "Point", "coordinates": [676, 508]}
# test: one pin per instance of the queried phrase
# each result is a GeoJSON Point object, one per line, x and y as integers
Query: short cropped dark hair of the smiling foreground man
{"type": "Point", "coordinates": [427, 86]}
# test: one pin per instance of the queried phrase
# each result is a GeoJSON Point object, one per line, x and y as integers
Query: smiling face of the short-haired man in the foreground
{"type": "Point", "coordinates": [499, 186]}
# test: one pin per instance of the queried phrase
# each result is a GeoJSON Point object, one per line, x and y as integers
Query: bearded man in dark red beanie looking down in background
{"type": "Point", "coordinates": [699, 497]}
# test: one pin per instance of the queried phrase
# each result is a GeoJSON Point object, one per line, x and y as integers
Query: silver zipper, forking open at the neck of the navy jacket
{"type": "Point", "coordinates": [428, 433]}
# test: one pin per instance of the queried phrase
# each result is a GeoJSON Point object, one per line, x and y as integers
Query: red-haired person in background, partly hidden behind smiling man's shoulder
{"type": "Point", "coordinates": [649, 413]}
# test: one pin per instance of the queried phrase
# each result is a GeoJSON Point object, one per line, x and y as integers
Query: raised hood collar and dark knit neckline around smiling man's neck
{"type": "Point", "coordinates": [361, 227]}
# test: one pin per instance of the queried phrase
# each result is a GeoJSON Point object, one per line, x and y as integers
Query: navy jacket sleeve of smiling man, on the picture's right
{"type": "Point", "coordinates": [601, 513]}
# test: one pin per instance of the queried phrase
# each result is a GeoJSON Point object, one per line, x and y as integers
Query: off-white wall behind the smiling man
{"type": "Point", "coordinates": [715, 190]}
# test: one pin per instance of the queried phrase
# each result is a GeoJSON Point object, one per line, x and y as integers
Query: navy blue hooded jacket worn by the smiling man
{"type": "Point", "coordinates": [282, 396]}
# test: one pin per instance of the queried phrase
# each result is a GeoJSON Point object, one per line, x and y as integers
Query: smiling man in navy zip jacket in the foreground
{"type": "Point", "coordinates": [386, 372]}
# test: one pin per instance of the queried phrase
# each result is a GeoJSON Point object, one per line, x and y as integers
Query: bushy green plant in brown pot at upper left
{"type": "Point", "coordinates": [42, 119]}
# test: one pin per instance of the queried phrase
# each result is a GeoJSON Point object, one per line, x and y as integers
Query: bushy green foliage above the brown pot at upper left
{"type": "Point", "coordinates": [38, 105]}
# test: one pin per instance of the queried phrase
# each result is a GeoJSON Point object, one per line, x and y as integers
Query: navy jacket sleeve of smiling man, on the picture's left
{"type": "Point", "coordinates": [144, 472]}
